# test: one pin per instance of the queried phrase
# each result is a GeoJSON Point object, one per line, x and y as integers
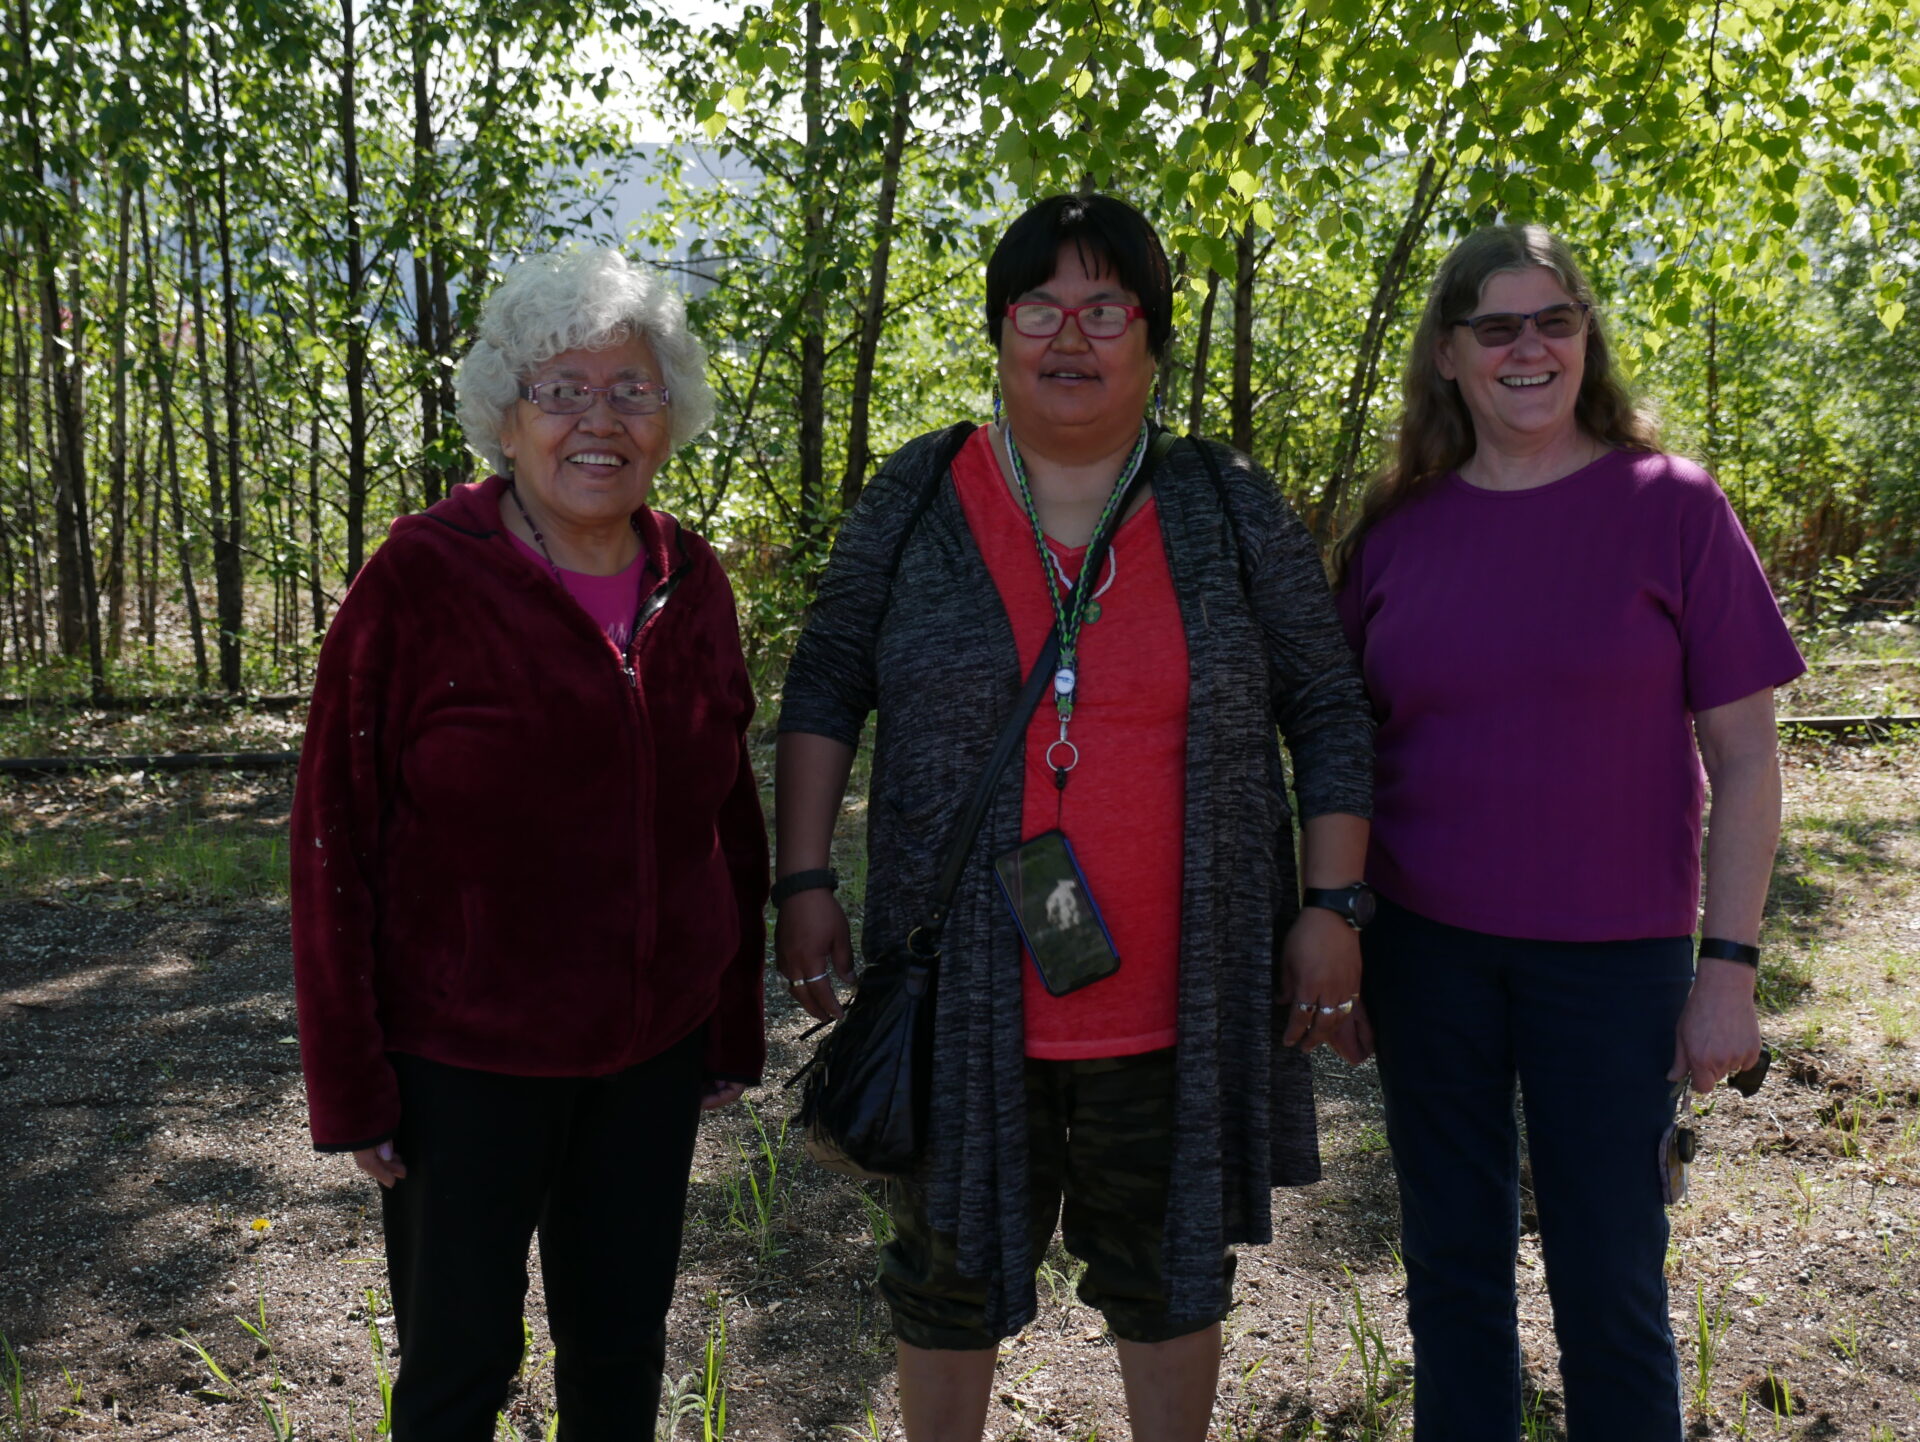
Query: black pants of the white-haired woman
{"type": "Point", "coordinates": [598, 1166]}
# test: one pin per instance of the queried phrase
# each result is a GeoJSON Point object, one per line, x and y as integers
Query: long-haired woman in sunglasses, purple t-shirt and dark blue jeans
{"type": "Point", "coordinates": [1558, 625]}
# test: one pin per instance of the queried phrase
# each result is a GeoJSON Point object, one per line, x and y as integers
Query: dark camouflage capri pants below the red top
{"type": "Point", "coordinates": [1101, 1136]}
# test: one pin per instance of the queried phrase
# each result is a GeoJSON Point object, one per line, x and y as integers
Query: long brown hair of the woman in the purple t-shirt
{"type": "Point", "coordinates": [1435, 433]}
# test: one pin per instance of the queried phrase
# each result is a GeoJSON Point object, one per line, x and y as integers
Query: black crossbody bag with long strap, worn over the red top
{"type": "Point", "coordinates": [869, 1084]}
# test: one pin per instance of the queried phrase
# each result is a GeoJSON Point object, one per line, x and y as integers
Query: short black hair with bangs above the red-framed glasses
{"type": "Point", "coordinates": [1111, 237]}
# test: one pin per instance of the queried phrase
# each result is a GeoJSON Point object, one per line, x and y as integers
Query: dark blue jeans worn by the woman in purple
{"type": "Point", "coordinates": [1587, 1030]}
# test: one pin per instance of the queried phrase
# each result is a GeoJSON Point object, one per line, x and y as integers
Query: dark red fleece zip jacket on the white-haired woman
{"type": "Point", "coordinates": [506, 853]}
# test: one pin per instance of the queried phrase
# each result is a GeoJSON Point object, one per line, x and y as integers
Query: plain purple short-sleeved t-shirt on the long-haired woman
{"type": "Point", "coordinates": [1535, 661]}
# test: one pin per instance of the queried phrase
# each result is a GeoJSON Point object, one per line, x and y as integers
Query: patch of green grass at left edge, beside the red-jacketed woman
{"type": "Point", "coordinates": [185, 859]}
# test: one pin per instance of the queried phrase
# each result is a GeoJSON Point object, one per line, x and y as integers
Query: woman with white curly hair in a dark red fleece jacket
{"type": "Point", "coordinates": [531, 865]}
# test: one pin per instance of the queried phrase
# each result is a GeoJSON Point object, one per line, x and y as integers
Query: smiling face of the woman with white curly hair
{"type": "Point", "coordinates": [588, 471]}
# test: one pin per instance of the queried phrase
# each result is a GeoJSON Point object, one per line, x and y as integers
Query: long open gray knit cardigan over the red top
{"type": "Point", "coordinates": [926, 644]}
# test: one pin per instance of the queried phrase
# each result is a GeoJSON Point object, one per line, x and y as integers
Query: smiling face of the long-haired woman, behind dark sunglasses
{"type": "Point", "coordinates": [1522, 397]}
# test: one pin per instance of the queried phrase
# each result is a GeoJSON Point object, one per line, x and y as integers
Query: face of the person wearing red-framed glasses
{"type": "Point", "coordinates": [1070, 397]}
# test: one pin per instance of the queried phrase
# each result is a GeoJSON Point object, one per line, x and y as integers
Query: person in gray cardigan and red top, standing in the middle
{"type": "Point", "coordinates": [1164, 1099]}
